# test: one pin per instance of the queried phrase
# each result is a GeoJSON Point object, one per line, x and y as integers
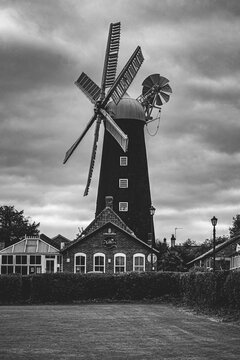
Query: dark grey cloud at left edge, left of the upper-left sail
{"type": "Point", "coordinates": [26, 67]}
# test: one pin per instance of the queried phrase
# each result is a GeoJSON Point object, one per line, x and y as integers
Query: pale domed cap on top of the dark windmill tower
{"type": "Point", "coordinates": [127, 108]}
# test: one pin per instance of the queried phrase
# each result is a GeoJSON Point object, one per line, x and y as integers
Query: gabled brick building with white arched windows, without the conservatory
{"type": "Point", "coordinates": [108, 245]}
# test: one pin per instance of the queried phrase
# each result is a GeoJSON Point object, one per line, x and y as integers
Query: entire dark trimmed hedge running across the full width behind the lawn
{"type": "Point", "coordinates": [213, 290]}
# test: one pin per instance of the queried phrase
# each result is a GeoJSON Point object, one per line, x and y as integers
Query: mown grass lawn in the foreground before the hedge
{"type": "Point", "coordinates": [113, 331]}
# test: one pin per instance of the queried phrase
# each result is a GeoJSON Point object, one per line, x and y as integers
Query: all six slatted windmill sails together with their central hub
{"type": "Point", "coordinates": [97, 95]}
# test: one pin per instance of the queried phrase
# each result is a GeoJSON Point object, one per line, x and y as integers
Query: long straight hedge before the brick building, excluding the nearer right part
{"type": "Point", "coordinates": [66, 288]}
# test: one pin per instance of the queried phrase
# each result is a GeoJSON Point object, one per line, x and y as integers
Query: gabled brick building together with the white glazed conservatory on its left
{"type": "Point", "coordinates": [107, 245]}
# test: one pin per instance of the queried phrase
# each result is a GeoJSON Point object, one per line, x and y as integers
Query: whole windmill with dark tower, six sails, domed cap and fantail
{"type": "Point", "coordinates": [124, 167]}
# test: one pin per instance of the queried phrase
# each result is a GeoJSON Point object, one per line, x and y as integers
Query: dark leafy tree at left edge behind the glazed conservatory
{"type": "Point", "coordinates": [14, 226]}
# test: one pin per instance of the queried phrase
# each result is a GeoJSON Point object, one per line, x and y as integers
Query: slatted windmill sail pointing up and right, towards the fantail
{"type": "Point", "coordinates": [126, 77]}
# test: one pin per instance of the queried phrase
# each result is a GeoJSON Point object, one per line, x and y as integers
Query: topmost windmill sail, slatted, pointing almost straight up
{"type": "Point", "coordinates": [111, 57]}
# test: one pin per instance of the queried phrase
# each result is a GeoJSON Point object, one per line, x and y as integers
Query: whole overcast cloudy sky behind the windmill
{"type": "Point", "coordinates": [194, 160]}
